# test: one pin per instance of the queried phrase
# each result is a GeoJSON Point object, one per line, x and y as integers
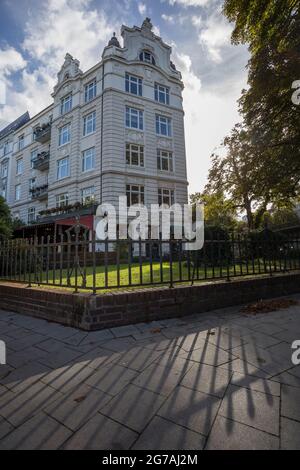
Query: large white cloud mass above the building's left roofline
{"type": "Point", "coordinates": [60, 26]}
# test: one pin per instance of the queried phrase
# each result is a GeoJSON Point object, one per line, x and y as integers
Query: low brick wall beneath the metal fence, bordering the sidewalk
{"type": "Point", "coordinates": [93, 312]}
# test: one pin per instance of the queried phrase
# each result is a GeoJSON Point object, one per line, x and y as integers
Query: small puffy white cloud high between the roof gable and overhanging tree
{"type": "Point", "coordinates": [215, 35]}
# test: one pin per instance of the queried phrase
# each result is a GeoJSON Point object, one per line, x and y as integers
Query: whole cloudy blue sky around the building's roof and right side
{"type": "Point", "coordinates": [36, 34]}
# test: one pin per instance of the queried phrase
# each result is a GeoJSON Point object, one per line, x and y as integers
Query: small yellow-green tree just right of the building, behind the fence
{"type": "Point", "coordinates": [218, 211]}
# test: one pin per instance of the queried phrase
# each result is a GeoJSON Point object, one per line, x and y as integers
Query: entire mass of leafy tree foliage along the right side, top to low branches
{"type": "Point", "coordinates": [262, 161]}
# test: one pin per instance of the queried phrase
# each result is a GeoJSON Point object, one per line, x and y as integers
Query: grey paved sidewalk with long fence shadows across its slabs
{"type": "Point", "coordinates": [219, 380]}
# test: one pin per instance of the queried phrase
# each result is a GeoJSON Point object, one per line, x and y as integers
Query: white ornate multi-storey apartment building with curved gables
{"type": "Point", "coordinates": [116, 129]}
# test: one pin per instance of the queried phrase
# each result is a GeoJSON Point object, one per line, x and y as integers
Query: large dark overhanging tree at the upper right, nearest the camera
{"type": "Point", "coordinates": [272, 31]}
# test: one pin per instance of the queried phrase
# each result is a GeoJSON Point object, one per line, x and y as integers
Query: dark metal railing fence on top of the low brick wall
{"type": "Point", "coordinates": [77, 260]}
